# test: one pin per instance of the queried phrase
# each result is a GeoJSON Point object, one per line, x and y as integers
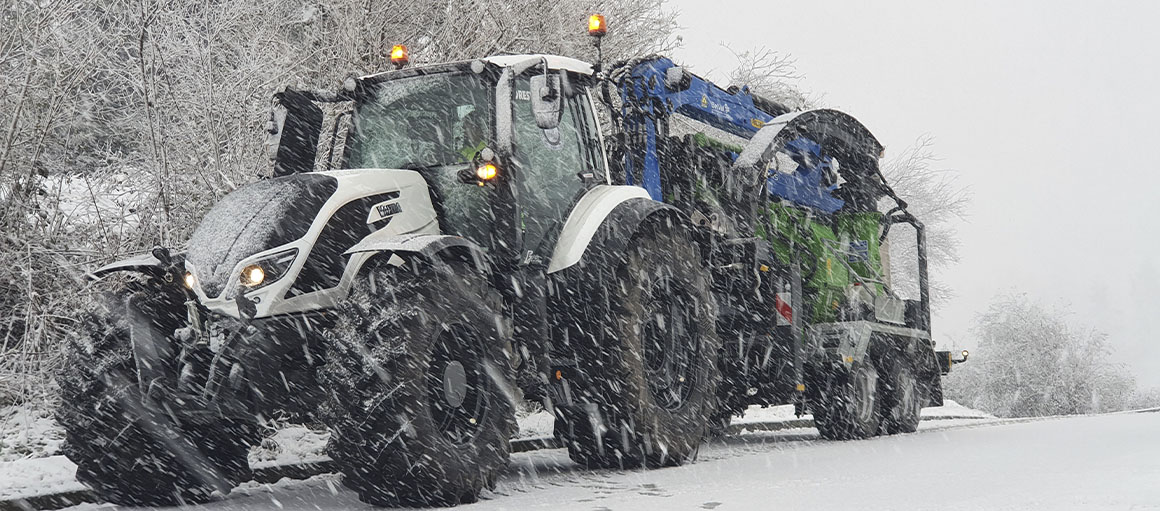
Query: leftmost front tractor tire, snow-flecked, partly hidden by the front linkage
{"type": "Point", "coordinates": [126, 443]}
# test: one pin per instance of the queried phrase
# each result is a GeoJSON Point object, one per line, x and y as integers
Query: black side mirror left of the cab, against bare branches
{"type": "Point", "coordinates": [293, 134]}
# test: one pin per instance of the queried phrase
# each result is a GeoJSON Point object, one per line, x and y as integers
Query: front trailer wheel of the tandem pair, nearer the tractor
{"type": "Point", "coordinates": [850, 406]}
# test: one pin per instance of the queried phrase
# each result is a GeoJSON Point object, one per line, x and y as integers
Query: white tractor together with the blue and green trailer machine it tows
{"type": "Point", "coordinates": [480, 233]}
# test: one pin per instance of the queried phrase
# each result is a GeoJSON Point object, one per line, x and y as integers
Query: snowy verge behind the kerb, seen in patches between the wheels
{"type": "Point", "coordinates": [30, 441]}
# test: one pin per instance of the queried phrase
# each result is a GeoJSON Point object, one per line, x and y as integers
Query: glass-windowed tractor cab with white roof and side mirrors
{"type": "Point", "coordinates": [506, 144]}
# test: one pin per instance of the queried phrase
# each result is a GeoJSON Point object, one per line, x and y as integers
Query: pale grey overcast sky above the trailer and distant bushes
{"type": "Point", "coordinates": [1049, 112]}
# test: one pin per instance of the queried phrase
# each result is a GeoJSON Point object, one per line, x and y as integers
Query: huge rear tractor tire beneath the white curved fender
{"type": "Point", "coordinates": [652, 367]}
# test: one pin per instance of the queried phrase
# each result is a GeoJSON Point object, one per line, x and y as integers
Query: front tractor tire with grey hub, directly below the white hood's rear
{"type": "Point", "coordinates": [422, 411]}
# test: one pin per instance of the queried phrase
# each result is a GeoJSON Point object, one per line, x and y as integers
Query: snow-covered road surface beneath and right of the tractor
{"type": "Point", "coordinates": [1111, 462]}
